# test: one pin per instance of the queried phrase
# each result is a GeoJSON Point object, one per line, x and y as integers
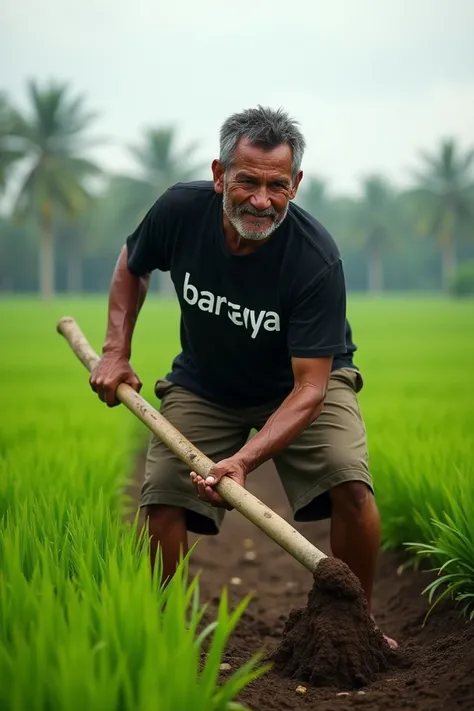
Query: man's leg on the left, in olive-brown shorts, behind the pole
{"type": "Point", "coordinates": [171, 505]}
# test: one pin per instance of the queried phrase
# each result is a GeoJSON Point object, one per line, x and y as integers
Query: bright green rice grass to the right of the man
{"type": "Point", "coordinates": [417, 358]}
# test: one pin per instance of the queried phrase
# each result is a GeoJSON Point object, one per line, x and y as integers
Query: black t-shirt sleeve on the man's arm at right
{"type": "Point", "coordinates": [317, 324]}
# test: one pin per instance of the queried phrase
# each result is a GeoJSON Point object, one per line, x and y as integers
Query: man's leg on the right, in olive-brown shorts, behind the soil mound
{"type": "Point", "coordinates": [325, 474]}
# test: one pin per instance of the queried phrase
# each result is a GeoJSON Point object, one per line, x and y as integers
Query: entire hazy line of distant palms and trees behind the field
{"type": "Point", "coordinates": [69, 217]}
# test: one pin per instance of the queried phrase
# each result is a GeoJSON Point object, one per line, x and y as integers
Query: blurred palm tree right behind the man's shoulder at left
{"type": "Point", "coordinates": [159, 165]}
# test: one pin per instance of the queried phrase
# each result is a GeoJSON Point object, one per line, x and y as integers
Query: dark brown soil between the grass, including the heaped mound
{"type": "Point", "coordinates": [433, 670]}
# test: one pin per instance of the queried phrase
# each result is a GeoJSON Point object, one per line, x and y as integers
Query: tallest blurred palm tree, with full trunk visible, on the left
{"type": "Point", "coordinates": [55, 186]}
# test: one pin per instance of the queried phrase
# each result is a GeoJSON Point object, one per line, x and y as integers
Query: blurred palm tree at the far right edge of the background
{"type": "Point", "coordinates": [444, 200]}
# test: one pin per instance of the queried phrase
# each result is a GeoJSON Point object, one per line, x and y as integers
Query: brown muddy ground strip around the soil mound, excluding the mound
{"type": "Point", "coordinates": [441, 677]}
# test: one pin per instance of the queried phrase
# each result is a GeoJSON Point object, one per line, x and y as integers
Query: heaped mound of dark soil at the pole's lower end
{"type": "Point", "coordinates": [333, 640]}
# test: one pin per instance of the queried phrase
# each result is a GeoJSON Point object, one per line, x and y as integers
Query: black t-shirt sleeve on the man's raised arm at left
{"type": "Point", "coordinates": [149, 245]}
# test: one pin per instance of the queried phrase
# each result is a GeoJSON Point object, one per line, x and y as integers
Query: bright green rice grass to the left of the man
{"type": "Point", "coordinates": [82, 625]}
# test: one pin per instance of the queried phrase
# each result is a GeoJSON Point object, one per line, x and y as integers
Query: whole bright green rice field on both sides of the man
{"type": "Point", "coordinates": [81, 623]}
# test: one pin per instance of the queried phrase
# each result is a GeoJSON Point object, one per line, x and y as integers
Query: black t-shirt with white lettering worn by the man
{"type": "Point", "coordinates": [244, 317]}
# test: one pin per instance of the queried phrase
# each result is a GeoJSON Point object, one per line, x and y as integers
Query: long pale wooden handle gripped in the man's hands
{"type": "Point", "coordinates": [242, 500]}
